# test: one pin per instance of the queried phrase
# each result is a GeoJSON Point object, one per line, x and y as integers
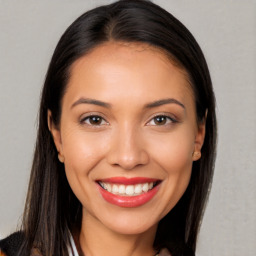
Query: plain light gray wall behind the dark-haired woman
{"type": "Point", "coordinates": [226, 31]}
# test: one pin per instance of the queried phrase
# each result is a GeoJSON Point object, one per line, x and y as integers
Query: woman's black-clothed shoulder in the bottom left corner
{"type": "Point", "coordinates": [11, 244]}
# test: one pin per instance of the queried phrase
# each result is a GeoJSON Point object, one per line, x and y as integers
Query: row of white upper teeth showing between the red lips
{"type": "Point", "coordinates": [127, 190]}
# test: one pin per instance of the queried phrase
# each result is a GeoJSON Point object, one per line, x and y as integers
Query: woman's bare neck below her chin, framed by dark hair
{"type": "Point", "coordinates": [95, 239]}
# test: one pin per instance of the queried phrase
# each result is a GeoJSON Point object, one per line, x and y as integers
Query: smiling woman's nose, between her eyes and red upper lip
{"type": "Point", "coordinates": [127, 150]}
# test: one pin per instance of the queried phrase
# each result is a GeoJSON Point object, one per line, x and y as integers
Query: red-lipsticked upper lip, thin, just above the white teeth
{"type": "Point", "coordinates": [128, 181]}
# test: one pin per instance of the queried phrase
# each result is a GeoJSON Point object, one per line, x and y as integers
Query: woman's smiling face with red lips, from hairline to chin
{"type": "Point", "coordinates": [127, 135]}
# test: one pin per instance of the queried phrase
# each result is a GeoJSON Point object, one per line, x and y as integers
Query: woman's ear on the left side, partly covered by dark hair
{"type": "Point", "coordinates": [56, 135]}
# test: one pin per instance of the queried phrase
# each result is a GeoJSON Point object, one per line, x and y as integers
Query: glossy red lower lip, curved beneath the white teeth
{"type": "Point", "coordinates": [128, 201]}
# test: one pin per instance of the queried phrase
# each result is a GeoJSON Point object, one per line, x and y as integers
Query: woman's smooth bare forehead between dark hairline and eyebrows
{"type": "Point", "coordinates": [133, 68]}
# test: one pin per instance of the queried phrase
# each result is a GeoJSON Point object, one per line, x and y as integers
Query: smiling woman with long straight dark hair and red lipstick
{"type": "Point", "coordinates": [126, 140]}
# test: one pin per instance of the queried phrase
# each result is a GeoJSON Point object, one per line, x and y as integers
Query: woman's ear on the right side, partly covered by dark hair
{"type": "Point", "coordinates": [199, 139]}
